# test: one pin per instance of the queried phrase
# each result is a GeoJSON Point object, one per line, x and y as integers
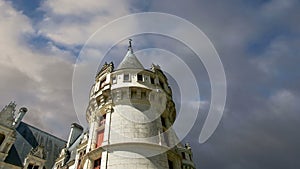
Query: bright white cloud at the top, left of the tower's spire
{"type": "Point", "coordinates": [73, 22]}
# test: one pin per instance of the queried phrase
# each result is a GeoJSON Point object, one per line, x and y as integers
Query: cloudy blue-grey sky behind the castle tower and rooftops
{"type": "Point", "coordinates": [257, 42]}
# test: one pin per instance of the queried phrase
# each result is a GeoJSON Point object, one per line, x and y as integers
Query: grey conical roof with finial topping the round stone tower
{"type": "Point", "coordinates": [130, 61]}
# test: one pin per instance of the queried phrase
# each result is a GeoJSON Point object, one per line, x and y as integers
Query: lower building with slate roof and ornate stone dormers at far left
{"type": "Point", "coordinates": [21, 140]}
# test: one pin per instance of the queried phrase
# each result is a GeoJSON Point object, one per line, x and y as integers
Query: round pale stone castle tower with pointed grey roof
{"type": "Point", "coordinates": [130, 115]}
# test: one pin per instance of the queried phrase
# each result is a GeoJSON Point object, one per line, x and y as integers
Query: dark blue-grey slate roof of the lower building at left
{"type": "Point", "coordinates": [28, 137]}
